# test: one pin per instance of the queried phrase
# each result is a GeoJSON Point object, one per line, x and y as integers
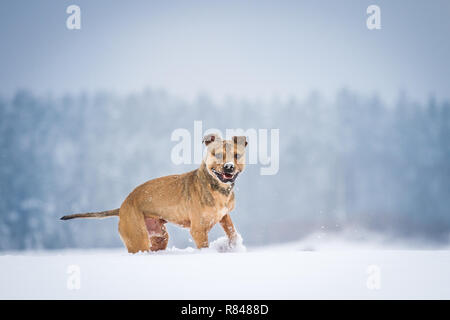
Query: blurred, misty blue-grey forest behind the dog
{"type": "Point", "coordinates": [354, 162]}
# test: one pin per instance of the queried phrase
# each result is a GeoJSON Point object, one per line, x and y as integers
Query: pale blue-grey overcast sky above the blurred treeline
{"type": "Point", "coordinates": [242, 48]}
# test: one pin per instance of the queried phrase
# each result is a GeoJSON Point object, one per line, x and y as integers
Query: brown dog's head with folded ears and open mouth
{"type": "Point", "coordinates": [225, 159]}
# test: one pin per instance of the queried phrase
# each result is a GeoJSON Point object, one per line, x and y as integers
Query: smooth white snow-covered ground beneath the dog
{"type": "Point", "coordinates": [317, 267]}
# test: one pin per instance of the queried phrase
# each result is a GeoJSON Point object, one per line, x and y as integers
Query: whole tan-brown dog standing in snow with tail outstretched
{"type": "Point", "coordinates": [196, 200]}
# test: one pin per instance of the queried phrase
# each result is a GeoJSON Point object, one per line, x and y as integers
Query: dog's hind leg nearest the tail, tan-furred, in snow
{"type": "Point", "coordinates": [132, 229]}
